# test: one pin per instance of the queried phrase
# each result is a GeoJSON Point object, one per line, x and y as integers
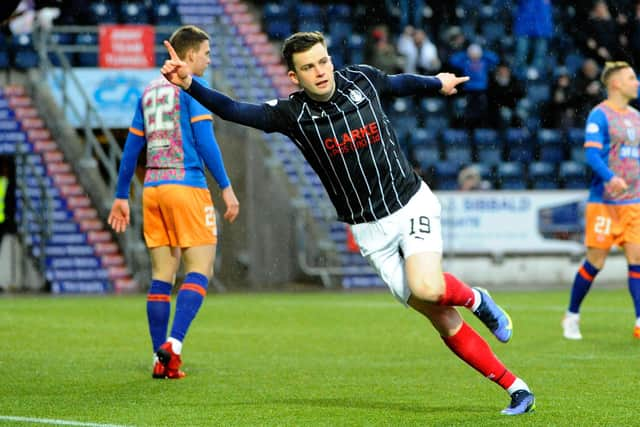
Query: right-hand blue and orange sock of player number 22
{"type": "Point", "coordinates": [190, 297]}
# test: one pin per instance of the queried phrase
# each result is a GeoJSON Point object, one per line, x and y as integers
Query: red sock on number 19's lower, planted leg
{"type": "Point", "coordinates": [473, 349]}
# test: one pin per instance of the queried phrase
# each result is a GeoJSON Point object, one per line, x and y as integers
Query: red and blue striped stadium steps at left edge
{"type": "Point", "coordinates": [80, 256]}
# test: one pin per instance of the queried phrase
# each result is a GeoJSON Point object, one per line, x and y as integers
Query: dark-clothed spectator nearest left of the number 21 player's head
{"type": "Point", "coordinates": [559, 111]}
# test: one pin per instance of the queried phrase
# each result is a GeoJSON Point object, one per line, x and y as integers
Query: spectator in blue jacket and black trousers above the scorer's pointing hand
{"type": "Point", "coordinates": [478, 65]}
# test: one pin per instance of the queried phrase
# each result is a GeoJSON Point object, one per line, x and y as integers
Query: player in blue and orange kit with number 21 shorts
{"type": "Point", "coordinates": [612, 141]}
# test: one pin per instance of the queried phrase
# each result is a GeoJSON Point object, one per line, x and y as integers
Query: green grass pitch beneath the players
{"type": "Point", "coordinates": [311, 359]}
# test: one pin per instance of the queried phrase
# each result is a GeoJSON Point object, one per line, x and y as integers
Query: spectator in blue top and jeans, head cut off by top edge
{"type": "Point", "coordinates": [532, 28]}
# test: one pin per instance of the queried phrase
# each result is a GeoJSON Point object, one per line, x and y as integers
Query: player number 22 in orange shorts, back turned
{"type": "Point", "coordinates": [178, 213]}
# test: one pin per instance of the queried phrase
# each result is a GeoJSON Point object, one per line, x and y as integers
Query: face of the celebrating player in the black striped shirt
{"type": "Point", "coordinates": [314, 72]}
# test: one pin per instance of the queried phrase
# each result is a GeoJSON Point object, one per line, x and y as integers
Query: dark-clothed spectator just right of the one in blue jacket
{"type": "Point", "coordinates": [504, 92]}
